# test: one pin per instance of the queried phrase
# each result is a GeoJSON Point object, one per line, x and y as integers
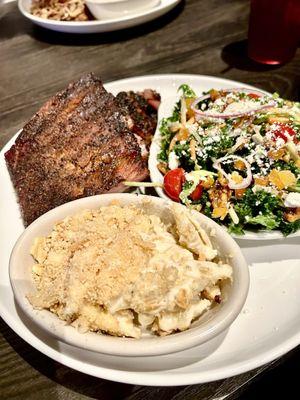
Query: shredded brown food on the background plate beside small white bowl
{"type": "Point", "coordinates": [61, 10]}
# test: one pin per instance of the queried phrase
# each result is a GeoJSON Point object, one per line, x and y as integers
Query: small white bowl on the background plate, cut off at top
{"type": "Point", "coordinates": [110, 9]}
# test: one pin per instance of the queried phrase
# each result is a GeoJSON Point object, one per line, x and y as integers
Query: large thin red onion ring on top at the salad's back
{"type": "Point", "coordinates": [207, 114]}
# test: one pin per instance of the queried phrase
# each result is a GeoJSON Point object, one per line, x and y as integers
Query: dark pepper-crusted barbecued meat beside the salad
{"type": "Point", "coordinates": [84, 141]}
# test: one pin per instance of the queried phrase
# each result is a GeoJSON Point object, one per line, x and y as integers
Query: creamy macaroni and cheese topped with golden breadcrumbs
{"type": "Point", "coordinates": [124, 272]}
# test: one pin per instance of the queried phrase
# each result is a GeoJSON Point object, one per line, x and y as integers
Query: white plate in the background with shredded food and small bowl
{"type": "Point", "coordinates": [94, 26]}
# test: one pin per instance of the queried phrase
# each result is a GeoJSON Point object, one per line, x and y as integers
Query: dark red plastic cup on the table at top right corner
{"type": "Point", "coordinates": [274, 30]}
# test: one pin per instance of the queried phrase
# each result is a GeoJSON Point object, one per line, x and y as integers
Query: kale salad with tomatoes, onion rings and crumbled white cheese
{"type": "Point", "coordinates": [233, 154]}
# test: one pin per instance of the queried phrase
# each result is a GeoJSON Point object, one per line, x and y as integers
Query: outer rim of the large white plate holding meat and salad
{"type": "Point", "coordinates": [146, 378]}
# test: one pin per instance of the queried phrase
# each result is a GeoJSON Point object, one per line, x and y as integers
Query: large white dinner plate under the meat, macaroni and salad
{"type": "Point", "coordinates": [267, 327]}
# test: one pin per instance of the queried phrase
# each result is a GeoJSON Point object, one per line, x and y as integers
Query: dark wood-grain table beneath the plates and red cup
{"type": "Point", "coordinates": [200, 37]}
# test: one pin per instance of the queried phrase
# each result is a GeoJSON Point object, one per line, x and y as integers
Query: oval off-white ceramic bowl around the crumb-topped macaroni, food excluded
{"type": "Point", "coordinates": [212, 324]}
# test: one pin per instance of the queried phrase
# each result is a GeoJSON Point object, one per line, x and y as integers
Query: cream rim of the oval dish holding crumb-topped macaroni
{"type": "Point", "coordinates": [120, 346]}
